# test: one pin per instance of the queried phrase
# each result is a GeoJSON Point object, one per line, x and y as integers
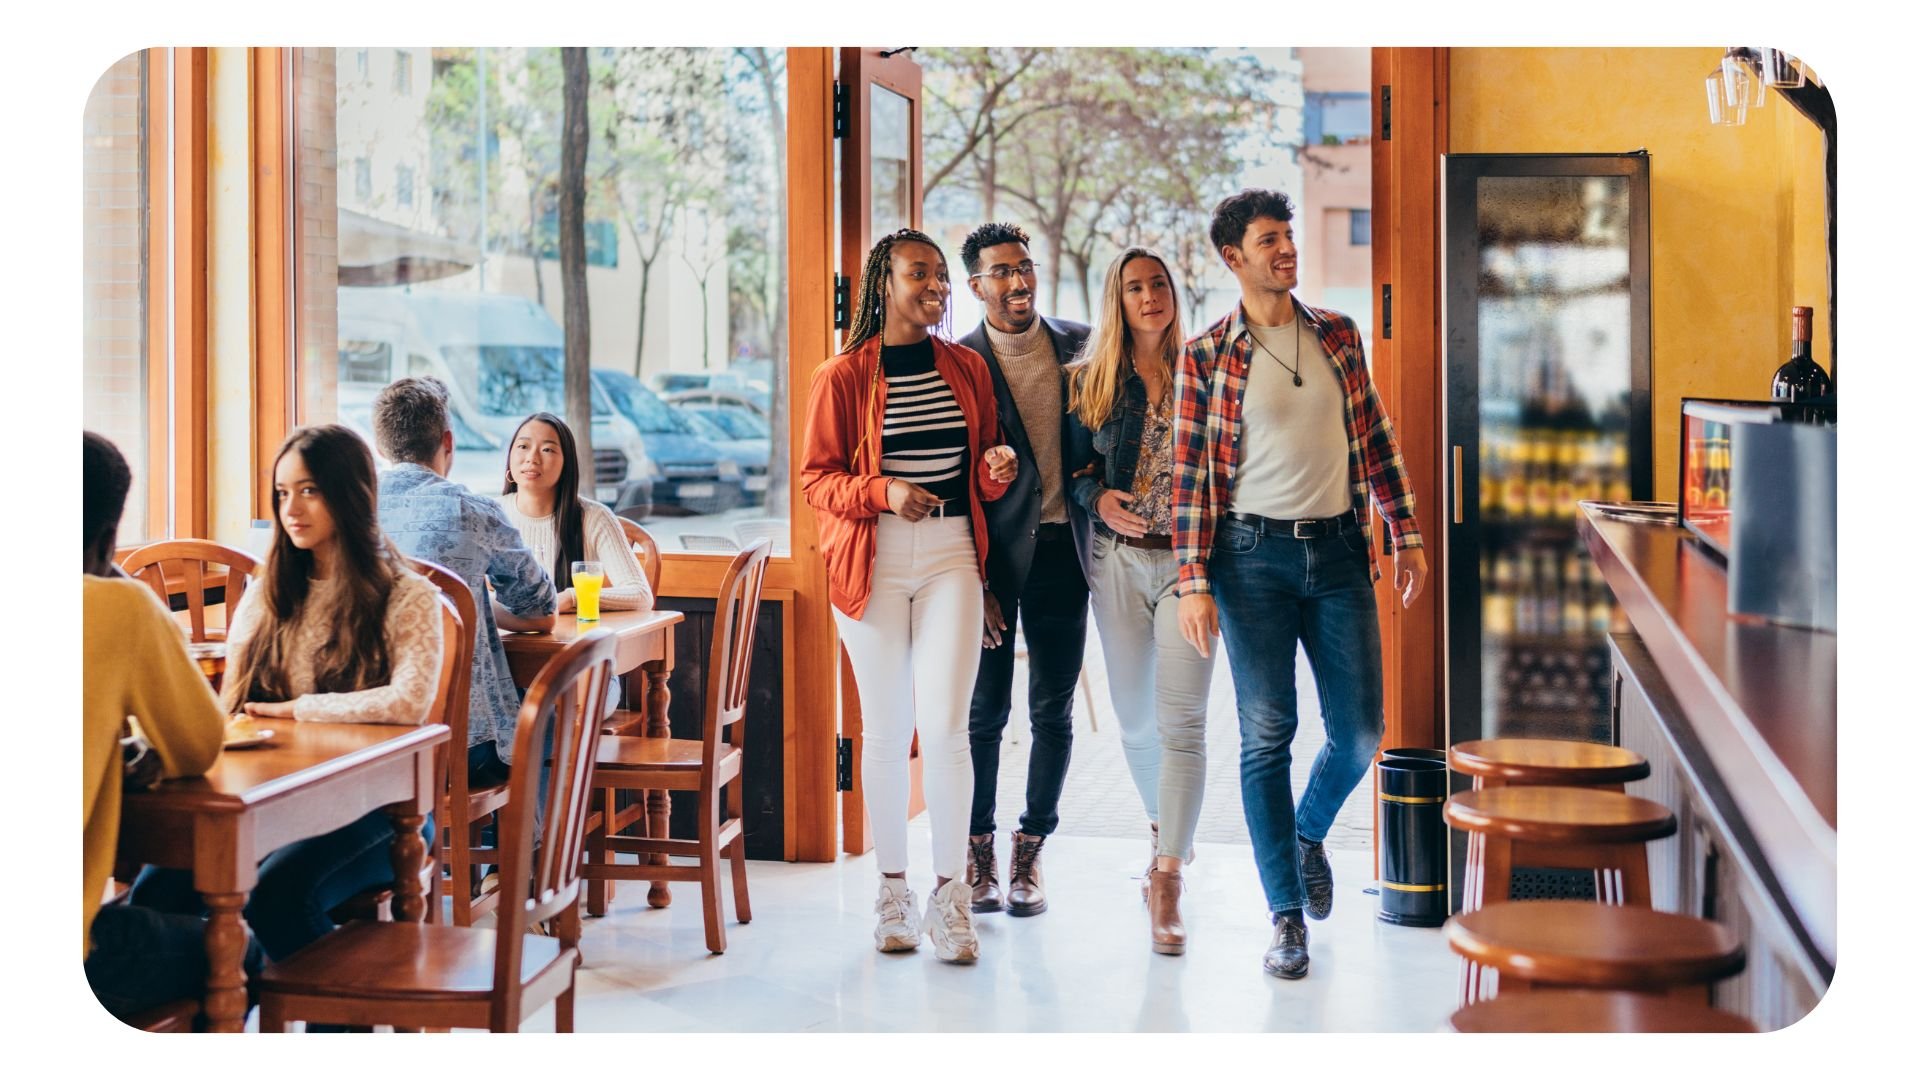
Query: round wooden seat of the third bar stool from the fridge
{"type": "Point", "coordinates": [1572, 943]}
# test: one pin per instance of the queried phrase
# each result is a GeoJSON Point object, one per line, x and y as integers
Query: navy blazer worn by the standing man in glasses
{"type": "Point", "coordinates": [1013, 522]}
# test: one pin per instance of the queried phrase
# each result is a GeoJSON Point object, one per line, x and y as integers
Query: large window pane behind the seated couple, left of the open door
{"type": "Point", "coordinates": [454, 268]}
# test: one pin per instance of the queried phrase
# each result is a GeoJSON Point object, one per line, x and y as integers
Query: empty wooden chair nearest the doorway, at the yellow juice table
{"type": "Point", "coordinates": [700, 766]}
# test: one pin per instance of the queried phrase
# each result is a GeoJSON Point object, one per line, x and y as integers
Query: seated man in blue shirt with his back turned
{"type": "Point", "coordinates": [441, 522]}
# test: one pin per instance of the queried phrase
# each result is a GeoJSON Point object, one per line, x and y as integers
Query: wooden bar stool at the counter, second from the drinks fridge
{"type": "Point", "coordinates": [1575, 829]}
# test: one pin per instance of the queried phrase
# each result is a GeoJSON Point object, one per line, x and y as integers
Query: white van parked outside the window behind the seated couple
{"type": "Point", "coordinates": [502, 358]}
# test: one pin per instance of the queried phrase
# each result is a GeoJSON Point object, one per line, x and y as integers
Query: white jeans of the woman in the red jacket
{"type": "Point", "coordinates": [915, 656]}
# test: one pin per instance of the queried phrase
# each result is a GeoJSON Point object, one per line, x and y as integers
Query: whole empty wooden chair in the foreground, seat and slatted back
{"type": "Point", "coordinates": [458, 977]}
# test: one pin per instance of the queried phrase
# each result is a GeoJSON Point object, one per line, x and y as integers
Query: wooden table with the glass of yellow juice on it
{"type": "Point", "coordinates": [644, 643]}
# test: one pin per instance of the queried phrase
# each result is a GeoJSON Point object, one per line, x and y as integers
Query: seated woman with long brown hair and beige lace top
{"type": "Point", "coordinates": [337, 631]}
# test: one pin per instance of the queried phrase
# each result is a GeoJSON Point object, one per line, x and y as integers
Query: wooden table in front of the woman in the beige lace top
{"type": "Point", "coordinates": [308, 781]}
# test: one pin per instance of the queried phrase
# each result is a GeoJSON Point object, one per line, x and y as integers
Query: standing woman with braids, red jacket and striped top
{"type": "Point", "coordinates": [903, 447]}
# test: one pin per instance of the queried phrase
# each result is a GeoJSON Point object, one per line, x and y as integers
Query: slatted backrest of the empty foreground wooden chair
{"type": "Point", "coordinates": [569, 697]}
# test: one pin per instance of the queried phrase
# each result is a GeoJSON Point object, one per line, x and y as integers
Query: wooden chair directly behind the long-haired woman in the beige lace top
{"type": "Point", "coordinates": [464, 810]}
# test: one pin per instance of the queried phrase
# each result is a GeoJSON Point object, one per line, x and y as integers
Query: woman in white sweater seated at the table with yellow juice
{"type": "Point", "coordinates": [560, 526]}
